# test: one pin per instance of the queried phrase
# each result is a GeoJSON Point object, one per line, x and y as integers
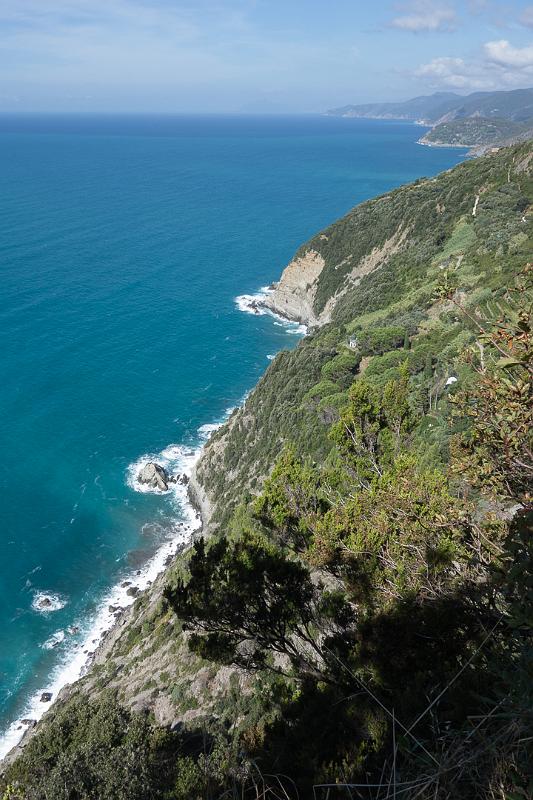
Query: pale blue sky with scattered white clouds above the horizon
{"type": "Point", "coordinates": [250, 56]}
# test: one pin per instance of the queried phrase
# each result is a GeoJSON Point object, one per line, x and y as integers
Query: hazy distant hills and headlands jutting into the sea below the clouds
{"type": "Point", "coordinates": [480, 119]}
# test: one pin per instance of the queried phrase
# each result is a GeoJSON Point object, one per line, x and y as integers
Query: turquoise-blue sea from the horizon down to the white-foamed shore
{"type": "Point", "coordinates": [124, 242]}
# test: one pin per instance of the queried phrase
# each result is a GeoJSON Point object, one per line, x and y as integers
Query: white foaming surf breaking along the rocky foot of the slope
{"type": "Point", "coordinates": [116, 607]}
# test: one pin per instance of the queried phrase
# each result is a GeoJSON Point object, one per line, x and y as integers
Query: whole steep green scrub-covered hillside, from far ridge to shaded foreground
{"type": "Point", "coordinates": [355, 568]}
